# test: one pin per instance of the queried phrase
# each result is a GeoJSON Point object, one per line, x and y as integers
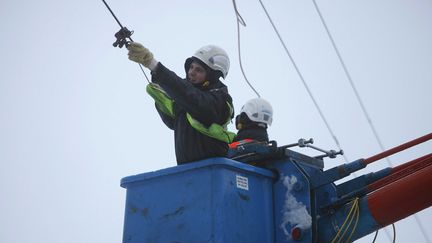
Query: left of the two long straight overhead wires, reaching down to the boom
{"type": "Point", "coordinates": [303, 80]}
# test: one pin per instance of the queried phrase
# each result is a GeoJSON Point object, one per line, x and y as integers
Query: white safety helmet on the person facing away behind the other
{"type": "Point", "coordinates": [258, 110]}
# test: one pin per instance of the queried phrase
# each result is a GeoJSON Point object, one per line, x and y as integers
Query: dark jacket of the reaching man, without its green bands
{"type": "Point", "coordinates": [207, 105]}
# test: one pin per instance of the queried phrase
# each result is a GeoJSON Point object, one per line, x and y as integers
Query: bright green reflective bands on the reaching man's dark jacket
{"type": "Point", "coordinates": [166, 105]}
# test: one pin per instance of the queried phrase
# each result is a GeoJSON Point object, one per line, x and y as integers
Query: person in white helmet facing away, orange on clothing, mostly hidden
{"type": "Point", "coordinates": [252, 122]}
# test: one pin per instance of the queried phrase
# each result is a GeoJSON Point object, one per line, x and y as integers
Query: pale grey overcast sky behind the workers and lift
{"type": "Point", "coordinates": [75, 118]}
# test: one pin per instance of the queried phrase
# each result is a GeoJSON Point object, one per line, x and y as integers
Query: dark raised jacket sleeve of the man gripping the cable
{"type": "Point", "coordinates": [205, 106]}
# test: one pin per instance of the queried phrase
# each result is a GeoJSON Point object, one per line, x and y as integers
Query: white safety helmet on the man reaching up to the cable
{"type": "Point", "coordinates": [214, 57]}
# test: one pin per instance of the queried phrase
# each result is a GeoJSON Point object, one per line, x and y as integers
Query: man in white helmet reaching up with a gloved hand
{"type": "Point", "coordinates": [197, 108]}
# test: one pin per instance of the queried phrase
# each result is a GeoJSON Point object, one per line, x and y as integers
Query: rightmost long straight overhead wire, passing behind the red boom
{"type": "Point", "coordinates": [363, 107]}
